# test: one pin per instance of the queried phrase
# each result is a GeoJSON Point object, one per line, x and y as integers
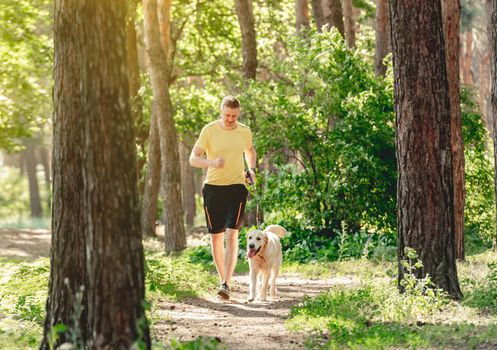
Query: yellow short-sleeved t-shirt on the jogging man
{"type": "Point", "coordinates": [227, 144]}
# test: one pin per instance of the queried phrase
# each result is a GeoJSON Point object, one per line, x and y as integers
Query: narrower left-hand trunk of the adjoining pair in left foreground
{"type": "Point", "coordinates": [67, 271]}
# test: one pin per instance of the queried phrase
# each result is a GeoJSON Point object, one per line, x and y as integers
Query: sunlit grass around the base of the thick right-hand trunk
{"type": "Point", "coordinates": [373, 315]}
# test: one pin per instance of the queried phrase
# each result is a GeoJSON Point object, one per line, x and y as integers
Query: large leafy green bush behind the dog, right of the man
{"type": "Point", "coordinates": [337, 160]}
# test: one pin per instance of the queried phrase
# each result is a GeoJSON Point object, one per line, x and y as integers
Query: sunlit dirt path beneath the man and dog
{"type": "Point", "coordinates": [237, 323]}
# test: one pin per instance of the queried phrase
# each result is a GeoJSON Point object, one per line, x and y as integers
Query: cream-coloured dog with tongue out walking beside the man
{"type": "Point", "coordinates": [264, 254]}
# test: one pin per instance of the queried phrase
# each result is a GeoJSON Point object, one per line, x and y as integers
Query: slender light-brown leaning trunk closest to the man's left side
{"type": "Point", "coordinates": [160, 68]}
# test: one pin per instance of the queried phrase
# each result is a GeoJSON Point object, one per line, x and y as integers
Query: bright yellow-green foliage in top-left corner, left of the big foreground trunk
{"type": "Point", "coordinates": [25, 73]}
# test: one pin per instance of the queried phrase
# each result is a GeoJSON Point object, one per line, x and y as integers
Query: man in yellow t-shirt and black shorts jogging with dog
{"type": "Point", "coordinates": [225, 142]}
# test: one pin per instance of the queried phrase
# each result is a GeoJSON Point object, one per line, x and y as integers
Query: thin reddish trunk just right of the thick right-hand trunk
{"type": "Point", "coordinates": [451, 10]}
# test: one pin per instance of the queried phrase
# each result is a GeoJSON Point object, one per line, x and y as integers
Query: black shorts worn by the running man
{"type": "Point", "coordinates": [224, 206]}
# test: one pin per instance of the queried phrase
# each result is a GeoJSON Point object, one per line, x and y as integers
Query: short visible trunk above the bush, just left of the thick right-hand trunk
{"type": "Point", "coordinates": [382, 36]}
